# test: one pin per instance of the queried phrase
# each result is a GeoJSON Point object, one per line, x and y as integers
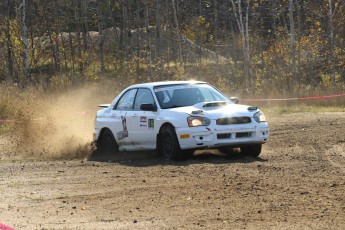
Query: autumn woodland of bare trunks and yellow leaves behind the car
{"type": "Point", "coordinates": [256, 44]}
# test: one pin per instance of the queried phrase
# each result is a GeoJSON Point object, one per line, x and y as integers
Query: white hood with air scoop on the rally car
{"type": "Point", "coordinates": [215, 110]}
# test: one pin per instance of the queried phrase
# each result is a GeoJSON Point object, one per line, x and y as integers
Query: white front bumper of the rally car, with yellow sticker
{"type": "Point", "coordinates": [217, 136]}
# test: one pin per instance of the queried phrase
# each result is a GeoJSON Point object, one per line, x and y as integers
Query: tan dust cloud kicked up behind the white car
{"type": "Point", "coordinates": [54, 125]}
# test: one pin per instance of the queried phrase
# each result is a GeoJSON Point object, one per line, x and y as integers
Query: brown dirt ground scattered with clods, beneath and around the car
{"type": "Point", "coordinates": [297, 183]}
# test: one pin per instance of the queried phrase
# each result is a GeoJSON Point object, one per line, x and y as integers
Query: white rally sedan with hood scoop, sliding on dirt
{"type": "Point", "coordinates": [177, 117]}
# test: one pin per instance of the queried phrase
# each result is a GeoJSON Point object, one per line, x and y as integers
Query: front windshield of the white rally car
{"type": "Point", "coordinates": [172, 96]}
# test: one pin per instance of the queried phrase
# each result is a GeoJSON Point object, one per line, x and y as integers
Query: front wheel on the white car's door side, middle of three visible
{"type": "Point", "coordinates": [170, 147]}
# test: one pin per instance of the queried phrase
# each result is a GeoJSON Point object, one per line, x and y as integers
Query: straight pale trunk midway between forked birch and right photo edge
{"type": "Point", "coordinates": [292, 43]}
